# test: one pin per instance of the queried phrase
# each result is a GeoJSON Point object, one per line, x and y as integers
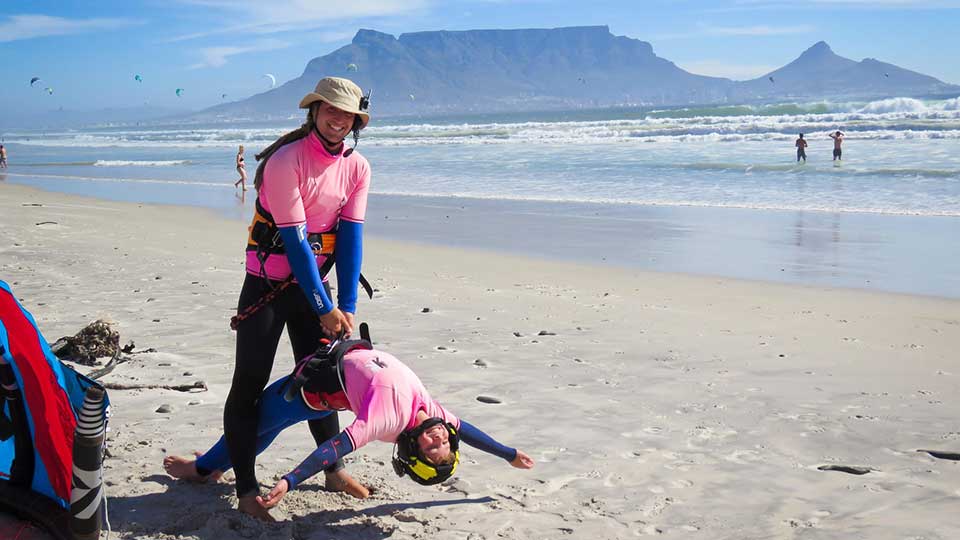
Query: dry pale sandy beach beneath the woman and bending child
{"type": "Point", "coordinates": [654, 403]}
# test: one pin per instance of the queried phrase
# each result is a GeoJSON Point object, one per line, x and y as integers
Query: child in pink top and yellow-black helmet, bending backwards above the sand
{"type": "Point", "coordinates": [390, 403]}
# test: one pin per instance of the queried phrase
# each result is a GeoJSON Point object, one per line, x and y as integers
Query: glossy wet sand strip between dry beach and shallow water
{"type": "Point", "coordinates": [872, 252]}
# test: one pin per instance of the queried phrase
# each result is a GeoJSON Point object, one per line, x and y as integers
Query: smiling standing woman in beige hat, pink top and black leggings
{"type": "Point", "coordinates": [310, 207]}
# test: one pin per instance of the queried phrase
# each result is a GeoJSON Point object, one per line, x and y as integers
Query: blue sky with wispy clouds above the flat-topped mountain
{"type": "Point", "coordinates": [88, 53]}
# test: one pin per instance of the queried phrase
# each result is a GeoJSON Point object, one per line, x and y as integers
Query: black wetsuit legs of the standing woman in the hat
{"type": "Point", "coordinates": [257, 340]}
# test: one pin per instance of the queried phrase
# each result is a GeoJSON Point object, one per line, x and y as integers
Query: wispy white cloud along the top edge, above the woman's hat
{"type": "Point", "coordinates": [274, 16]}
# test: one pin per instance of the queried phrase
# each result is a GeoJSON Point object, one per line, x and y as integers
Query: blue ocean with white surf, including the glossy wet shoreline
{"type": "Point", "coordinates": [688, 189]}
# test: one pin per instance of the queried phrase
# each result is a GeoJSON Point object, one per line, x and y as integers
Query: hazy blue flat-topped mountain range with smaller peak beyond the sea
{"type": "Point", "coordinates": [471, 71]}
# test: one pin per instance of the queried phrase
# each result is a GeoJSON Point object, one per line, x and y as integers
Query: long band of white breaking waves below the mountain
{"type": "Point", "coordinates": [895, 118]}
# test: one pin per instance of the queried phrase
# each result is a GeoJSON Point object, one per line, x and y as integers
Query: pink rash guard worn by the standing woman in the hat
{"type": "Point", "coordinates": [303, 183]}
